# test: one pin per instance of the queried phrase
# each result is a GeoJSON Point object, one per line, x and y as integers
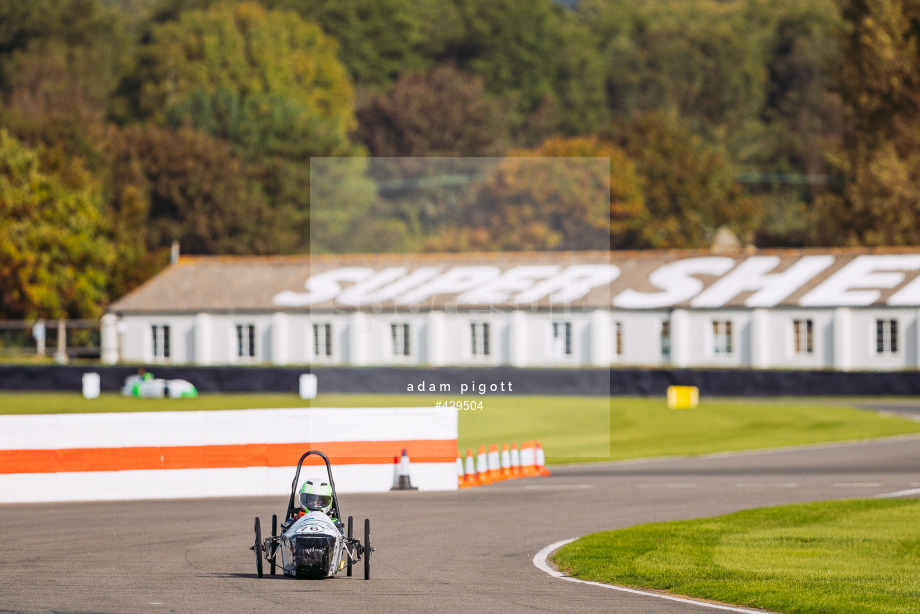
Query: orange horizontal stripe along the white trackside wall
{"type": "Point", "coordinates": [223, 457]}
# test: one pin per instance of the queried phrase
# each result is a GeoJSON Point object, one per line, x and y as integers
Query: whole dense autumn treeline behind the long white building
{"type": "Point", "coordinates": [128, 124]}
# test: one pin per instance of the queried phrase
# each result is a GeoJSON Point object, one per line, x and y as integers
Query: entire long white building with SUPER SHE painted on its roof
{"type": "Point", "coordinates": [808, 309]}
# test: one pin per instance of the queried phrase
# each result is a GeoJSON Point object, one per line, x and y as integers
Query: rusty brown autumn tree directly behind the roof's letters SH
{"type": "Point", "coordinates": [690, 188]}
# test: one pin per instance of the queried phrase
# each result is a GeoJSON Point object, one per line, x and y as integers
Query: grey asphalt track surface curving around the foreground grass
{"type": "Point", "coordinates": [467, 551]}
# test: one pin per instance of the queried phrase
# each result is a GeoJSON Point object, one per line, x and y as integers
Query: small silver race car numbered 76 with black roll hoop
{"type": "Point", "coordinates": [314, 544]}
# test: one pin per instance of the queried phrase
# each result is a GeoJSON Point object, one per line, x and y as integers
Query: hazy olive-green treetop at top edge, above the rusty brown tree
{"type": "Point", "coordinates": [694, 58]}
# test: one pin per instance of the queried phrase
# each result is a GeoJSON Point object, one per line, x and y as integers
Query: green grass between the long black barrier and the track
{"type": "Point", "coordinates": [571, 429]}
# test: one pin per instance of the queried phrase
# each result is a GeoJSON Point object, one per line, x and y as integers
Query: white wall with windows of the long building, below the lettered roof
{"type": "Point", "coordinates": [840, 338]}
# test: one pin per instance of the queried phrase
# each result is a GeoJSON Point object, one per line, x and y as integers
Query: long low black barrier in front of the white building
{"type": "Point", "coordinates": [450, 381]}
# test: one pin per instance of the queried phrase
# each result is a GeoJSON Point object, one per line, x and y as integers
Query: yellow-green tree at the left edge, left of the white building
{"type": "Point", "coordinates": [54, 249]}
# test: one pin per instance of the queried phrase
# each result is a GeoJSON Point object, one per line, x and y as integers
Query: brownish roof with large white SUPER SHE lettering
{"type": "Point", "coordinates": [577, 280]}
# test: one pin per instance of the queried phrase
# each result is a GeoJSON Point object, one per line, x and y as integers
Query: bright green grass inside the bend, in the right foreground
{"type": "Point", "coordinates": [833, 556]}
